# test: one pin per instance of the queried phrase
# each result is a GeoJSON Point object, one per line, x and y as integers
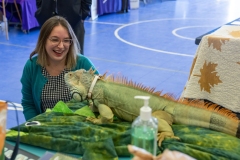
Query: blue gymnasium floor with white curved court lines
{"type": "Point", "coordinates": [153, 45]}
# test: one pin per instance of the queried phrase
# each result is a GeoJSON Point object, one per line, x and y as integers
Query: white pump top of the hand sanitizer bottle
{"type": "Point", "coordinates": [145, 111]}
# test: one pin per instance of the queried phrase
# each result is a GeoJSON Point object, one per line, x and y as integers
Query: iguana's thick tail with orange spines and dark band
{"type": "Point", "coordinates": [208, 116]}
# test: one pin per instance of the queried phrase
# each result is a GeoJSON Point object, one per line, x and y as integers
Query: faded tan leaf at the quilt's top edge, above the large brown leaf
{"type": "Point", "coordinates": [217, 42]}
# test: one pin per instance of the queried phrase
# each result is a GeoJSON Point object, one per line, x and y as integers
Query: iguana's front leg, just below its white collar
{"type": "Point", "coordinates": [106, 115]}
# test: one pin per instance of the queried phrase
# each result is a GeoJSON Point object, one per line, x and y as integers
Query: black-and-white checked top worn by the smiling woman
{"type": "Point", "coordinates": [54, 90]}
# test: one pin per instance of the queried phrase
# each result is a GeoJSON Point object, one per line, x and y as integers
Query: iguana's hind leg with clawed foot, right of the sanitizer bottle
{"type": "Point", "coordinates": [165, 121]}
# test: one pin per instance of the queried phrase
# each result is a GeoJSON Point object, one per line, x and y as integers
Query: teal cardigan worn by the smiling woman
{"type": "Point", "coordinates": [33, 82]}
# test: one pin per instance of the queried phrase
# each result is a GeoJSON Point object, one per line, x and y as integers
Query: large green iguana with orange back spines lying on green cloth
{"type": "Point", "coordinates": [115, 96]}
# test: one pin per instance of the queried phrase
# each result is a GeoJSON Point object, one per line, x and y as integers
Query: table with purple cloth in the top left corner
{"type": "Point", "coordinates": [27, 10]}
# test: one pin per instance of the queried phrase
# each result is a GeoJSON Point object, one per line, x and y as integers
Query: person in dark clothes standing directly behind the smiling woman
{"type": "Point", "coordinates": [75, 11]}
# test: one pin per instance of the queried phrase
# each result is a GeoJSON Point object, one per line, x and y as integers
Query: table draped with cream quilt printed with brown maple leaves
{"type": "Point", "coordinates": [215, 72]}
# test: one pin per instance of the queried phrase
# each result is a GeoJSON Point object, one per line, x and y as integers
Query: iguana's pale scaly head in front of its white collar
{"type": "Point", "coordinates": [79, 82]}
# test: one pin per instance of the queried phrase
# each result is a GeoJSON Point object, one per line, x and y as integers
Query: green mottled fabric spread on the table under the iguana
{"type": "Point", "coordinates": [70, 133]}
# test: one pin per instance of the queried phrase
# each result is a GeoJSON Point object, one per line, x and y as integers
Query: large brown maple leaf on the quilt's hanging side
{"type": "Point", "coordinates": [208, 77]}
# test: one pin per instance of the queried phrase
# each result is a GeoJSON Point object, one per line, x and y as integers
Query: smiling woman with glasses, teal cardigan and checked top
{"type": "Point", "coordinates": [56, 53]}
